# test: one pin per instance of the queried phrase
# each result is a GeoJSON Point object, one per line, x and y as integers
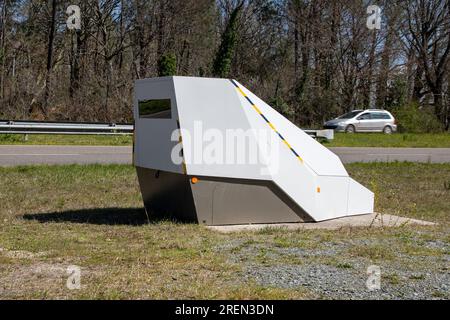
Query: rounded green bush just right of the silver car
{"type": "Point", "coordinates": [413, 119]}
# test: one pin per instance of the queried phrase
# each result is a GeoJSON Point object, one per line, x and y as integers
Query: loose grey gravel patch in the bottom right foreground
{"type": "Point", "coordinates": [334, 283]}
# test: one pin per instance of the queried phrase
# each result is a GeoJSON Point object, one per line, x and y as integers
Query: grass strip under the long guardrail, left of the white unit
{"type": "Point", "coordinates": [81, 140]}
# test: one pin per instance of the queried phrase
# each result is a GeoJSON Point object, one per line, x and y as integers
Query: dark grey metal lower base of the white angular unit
{"type": "Point", "coordinates": [216, 201]}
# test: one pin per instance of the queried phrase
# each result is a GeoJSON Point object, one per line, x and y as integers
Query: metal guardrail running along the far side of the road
{"type": "Point", "coordinates": [80, 128]}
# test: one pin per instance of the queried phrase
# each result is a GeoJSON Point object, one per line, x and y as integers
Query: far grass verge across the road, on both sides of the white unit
{"type": "Point", "coordinates": [341, 140]}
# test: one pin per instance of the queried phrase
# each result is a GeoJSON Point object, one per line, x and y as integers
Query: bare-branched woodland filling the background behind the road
{"type": "Point", "coordinates": [310, 59]}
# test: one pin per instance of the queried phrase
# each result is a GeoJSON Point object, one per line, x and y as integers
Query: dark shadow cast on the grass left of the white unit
{"type": "Point", "coordinates": [101, 216]}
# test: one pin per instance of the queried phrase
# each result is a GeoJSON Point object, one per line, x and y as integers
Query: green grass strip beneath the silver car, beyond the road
{"type": "Point", "coordinates": [398, 140]}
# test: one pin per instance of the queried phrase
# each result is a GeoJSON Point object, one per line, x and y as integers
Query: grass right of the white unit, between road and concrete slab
{"type": "Point", "coordinates": [408, 189]}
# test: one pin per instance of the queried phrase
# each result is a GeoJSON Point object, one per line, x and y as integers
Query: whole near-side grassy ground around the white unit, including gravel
{"type": "Point", "coordinates": [90, 216]}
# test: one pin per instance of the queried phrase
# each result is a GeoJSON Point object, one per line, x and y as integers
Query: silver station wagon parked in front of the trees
{"type": "Point", "coordinates": [372, 120]}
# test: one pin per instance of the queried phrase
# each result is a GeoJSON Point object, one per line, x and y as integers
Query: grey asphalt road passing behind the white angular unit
{"type": "Point", "coordinates": [26, 155]}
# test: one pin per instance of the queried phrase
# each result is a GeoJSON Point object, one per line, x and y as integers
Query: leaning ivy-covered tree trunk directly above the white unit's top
{"type": "Point", "coordinates": [224, 56]}
